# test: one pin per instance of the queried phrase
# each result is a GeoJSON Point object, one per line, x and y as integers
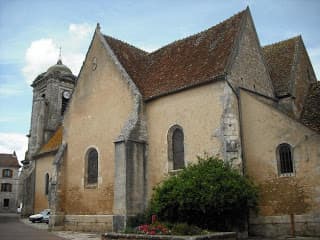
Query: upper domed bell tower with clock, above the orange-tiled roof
{"type": "Point", "coordinates": [51, 92]}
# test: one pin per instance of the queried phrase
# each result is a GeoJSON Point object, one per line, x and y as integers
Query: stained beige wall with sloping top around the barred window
{"type": "Point", "coordinates": [264, 128]}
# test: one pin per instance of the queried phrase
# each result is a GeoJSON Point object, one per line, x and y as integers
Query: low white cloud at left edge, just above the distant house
{"type": "Point", "coordinates": [10, 142]}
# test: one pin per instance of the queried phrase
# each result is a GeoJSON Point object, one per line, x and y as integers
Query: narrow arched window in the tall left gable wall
{"type": "Point", "coordinates": [92, 166]}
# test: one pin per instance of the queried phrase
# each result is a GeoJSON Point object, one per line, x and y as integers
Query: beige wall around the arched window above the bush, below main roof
{"type": "Point", "coordinates": [199, 111]}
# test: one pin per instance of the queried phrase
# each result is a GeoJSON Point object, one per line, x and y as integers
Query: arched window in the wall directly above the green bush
{"type": "Point", "coordinates": [176, 148]}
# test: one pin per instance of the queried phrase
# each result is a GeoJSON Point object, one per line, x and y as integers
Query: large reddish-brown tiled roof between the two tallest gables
{"type": "Point", "coordinates": [181, 64]}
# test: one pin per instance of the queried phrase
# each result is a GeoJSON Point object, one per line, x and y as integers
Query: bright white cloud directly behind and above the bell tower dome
{"type": "Point", "coordinates": [43, 53]}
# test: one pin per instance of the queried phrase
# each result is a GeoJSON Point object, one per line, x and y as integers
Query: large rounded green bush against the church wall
{"type": "Point", "coordinates": [210, 194]}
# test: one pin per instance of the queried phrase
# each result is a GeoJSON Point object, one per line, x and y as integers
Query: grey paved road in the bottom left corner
{"type": "Point", "coordinates": [12, 229]}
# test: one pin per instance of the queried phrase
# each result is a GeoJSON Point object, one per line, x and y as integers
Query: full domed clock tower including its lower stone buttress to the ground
{"type": "Point", "coordinates": [51, 92]}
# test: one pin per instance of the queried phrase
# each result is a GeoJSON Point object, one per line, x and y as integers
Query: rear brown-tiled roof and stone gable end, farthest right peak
{"type": "Point", "coordinates": [291, 71]}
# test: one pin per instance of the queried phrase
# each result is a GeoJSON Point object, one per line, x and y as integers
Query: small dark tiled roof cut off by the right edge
{"type": "Point", "coordinates": [311, 112]}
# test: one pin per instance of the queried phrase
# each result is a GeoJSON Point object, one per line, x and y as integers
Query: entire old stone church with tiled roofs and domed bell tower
{"type": "Point", "coordinates": [135, 117]}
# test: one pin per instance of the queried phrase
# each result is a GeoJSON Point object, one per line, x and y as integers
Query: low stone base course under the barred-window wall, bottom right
{"type": "Point", "coordinates": [275, 226]}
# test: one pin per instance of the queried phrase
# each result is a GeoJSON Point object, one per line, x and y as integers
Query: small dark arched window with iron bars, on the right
{"type": "Point", "coordinates": [285, 162]}
